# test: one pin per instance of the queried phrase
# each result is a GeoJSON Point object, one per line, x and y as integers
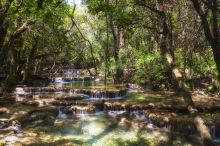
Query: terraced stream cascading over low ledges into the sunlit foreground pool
{"type": "Point", "coordinates": [73, 110]}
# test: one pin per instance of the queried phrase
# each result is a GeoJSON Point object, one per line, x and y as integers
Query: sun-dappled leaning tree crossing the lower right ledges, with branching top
{"type": "Point", "coordinates": [167, 51]}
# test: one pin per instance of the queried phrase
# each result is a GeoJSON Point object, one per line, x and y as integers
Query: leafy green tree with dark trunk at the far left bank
{"type": "Point", "coordinates": [18, 18]}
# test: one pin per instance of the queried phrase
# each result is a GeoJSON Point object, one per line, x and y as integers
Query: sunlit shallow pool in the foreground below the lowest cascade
{"type": "Point", "coordinates": [101, 129]}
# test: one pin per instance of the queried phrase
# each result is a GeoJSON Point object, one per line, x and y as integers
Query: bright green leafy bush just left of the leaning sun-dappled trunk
{"type": "Point", "coordinates": [150, 67]}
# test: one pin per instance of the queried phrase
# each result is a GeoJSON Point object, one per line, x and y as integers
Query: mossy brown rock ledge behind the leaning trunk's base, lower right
{"type": "Point", "coordinates": [181, 123]}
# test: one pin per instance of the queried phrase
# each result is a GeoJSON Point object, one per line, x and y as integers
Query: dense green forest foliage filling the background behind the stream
{"type": "Point", "coordinates": [57, 33]}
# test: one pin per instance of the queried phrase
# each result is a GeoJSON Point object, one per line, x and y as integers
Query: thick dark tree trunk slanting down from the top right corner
{"type": "Point", "coordinates": [211, 28]}
